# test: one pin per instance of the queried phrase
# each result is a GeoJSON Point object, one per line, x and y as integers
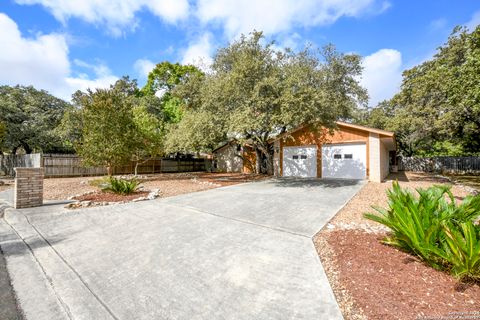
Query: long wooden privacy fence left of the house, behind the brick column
{"type": "Point", "coordinates": [70, 165]}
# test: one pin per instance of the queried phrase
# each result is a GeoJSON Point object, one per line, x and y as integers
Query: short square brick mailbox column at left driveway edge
{"type": "Point", "coordinates": [28, 187]}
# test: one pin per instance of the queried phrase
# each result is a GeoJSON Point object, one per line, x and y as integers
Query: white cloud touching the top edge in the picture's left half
{"type": "Point", "coordinates": [116, 15]}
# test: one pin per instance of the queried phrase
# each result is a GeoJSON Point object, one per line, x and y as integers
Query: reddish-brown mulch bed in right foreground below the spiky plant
{"type": "Point", "coordinates": [386, 283]}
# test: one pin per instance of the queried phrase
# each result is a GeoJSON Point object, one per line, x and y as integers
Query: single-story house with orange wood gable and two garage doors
{"type": "Point", "coordinates": [349, 152]}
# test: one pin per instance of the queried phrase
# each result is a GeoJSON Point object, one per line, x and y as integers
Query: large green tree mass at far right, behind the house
{"type": "Point", "coordinates": [437, 111]}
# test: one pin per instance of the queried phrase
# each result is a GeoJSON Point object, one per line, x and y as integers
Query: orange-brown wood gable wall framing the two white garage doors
{"type": "Point", "coordinates": [308, 136]}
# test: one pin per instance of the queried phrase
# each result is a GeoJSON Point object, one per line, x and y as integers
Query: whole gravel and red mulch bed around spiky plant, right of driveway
{"type": "Point", "coordinates": [376, 281]}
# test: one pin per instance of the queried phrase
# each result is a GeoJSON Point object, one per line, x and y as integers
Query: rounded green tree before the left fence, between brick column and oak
{"type": "Point", "coordinates": [118, 125]}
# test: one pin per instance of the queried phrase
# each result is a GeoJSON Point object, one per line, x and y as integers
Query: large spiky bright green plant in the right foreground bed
{"type": "Point", "coordinates": [433, 227]}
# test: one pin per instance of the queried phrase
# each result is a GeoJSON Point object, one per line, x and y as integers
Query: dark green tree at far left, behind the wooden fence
{"type": "Point", "coordinates": [30, 117]}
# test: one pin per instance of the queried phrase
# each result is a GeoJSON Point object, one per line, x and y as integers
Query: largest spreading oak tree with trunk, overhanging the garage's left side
{"type": "Point", "coordinates": [253, 92]}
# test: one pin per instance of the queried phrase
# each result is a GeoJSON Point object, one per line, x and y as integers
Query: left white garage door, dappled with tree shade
{"type": "Point", "coordinates": [300, 161]}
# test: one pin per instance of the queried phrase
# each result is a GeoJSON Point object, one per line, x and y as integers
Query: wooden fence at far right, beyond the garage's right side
{"type": "Point", "coordinates": [440, 164]}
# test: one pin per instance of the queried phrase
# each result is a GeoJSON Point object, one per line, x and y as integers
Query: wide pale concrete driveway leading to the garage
{"type": "Point", "coordinates": [239, 252]}
